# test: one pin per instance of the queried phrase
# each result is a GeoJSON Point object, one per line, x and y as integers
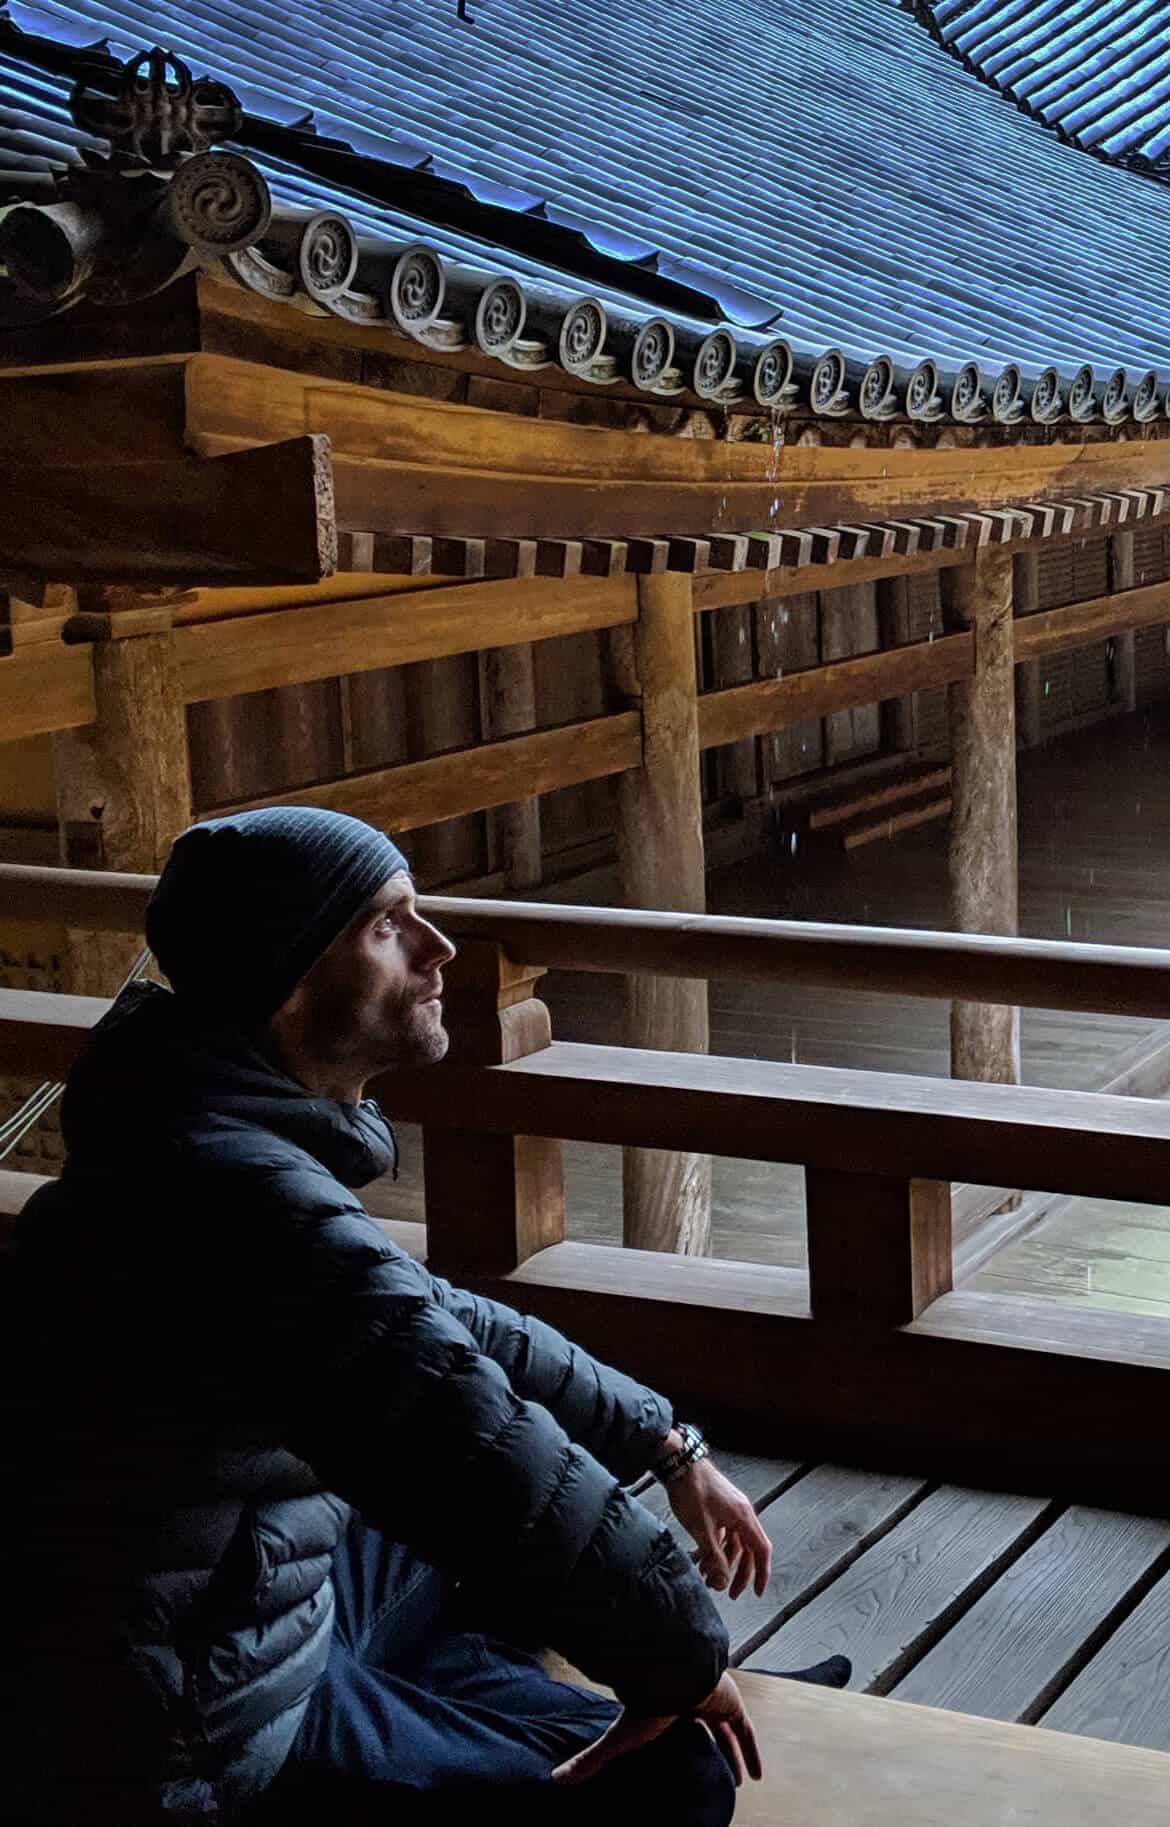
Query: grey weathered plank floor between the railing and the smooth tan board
{"type": "Point", "coordinates": [983, 1603]}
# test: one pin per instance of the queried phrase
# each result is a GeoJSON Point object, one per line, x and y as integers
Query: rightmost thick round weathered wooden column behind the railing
{"type": "Point", "coordinates": [984, 843]}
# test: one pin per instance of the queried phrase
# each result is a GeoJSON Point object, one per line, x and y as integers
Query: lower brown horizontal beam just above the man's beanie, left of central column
{"type": "Point", "coordinates": [447, 787]}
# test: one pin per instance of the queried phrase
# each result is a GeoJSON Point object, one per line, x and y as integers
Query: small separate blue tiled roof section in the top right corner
{"type": "Point", "coordinates": [1094, 70]}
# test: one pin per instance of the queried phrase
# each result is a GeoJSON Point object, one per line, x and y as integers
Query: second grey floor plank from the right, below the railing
{"type": "Point", "coordinates": [1008, 1656]}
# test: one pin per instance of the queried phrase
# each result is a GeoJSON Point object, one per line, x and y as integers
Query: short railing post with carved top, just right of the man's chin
{"type": "Point", "coordinates": [493, 1201]}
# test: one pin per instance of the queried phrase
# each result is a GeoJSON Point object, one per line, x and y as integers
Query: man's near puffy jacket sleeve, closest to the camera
{"type": "Point", "coordinates": [392, 1402]}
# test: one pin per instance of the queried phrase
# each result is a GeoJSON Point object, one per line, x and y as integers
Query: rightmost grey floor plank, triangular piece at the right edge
{"type": "Point", "coordinates": [1125, 1693]}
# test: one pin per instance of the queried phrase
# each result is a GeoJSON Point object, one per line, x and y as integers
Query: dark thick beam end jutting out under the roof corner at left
{"type": "Point", "coordinates": [187, 520]}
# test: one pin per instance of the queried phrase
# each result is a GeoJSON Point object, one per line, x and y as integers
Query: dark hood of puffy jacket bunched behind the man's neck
{"type": "Point", "coordinates": [158, 1073]}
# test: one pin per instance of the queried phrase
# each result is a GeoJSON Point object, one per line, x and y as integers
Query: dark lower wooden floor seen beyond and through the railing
{"type": "Point", "coordinates": [1096, 865]}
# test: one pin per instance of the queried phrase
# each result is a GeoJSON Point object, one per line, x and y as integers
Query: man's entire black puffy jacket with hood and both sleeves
{"type": "Point", "coordinates": [213, 1355]}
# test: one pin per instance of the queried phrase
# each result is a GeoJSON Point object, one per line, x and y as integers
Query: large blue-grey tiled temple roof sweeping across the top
{"type": "Point", "coordinates": [814, 169]}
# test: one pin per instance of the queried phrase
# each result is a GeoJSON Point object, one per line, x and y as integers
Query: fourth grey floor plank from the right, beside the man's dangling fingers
{"type": "Point", "coordinates": [818, 1526]}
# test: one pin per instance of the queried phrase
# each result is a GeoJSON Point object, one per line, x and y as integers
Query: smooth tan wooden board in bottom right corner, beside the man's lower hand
{"type": "Point", "coordinates": [846, 1760]}
